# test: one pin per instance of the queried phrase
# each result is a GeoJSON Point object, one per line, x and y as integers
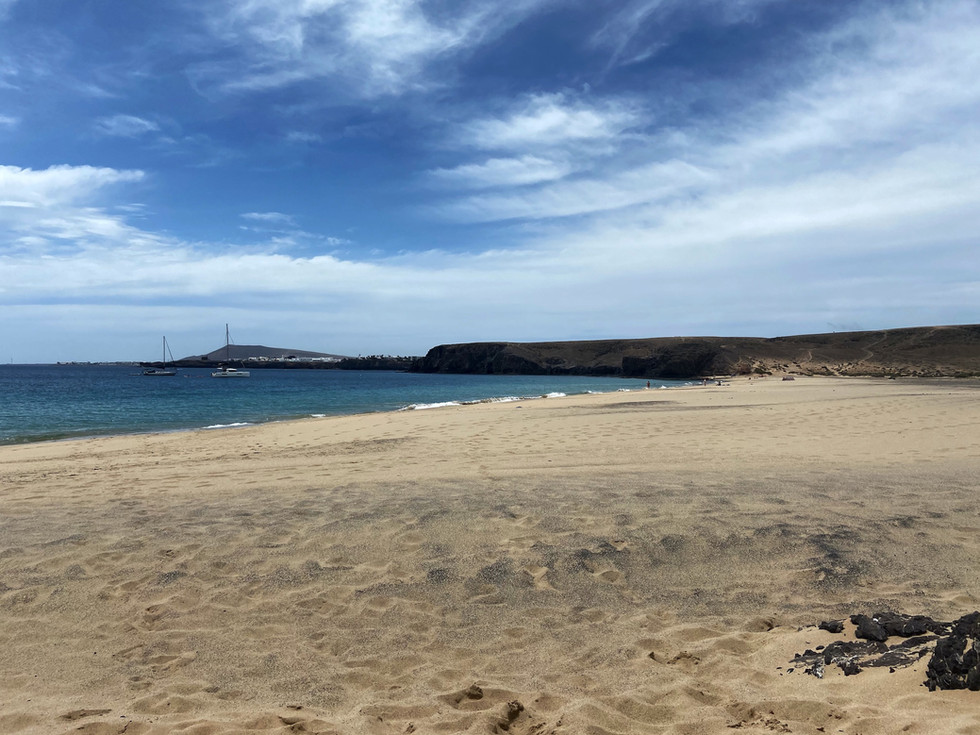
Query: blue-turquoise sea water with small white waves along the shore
{"type": "Point", "coordinates": [44, 402]}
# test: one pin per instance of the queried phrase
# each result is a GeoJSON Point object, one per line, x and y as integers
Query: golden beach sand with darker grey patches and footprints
{"type": "Point", "coordinates": [642, 562]}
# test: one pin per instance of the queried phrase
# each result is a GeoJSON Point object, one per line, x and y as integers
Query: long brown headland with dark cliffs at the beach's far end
{"type": "Point", "coordinates": [947, 351]}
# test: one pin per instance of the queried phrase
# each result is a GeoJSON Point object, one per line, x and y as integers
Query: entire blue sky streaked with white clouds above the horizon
{"type": "Point", "coordinates": [382, 176]}
